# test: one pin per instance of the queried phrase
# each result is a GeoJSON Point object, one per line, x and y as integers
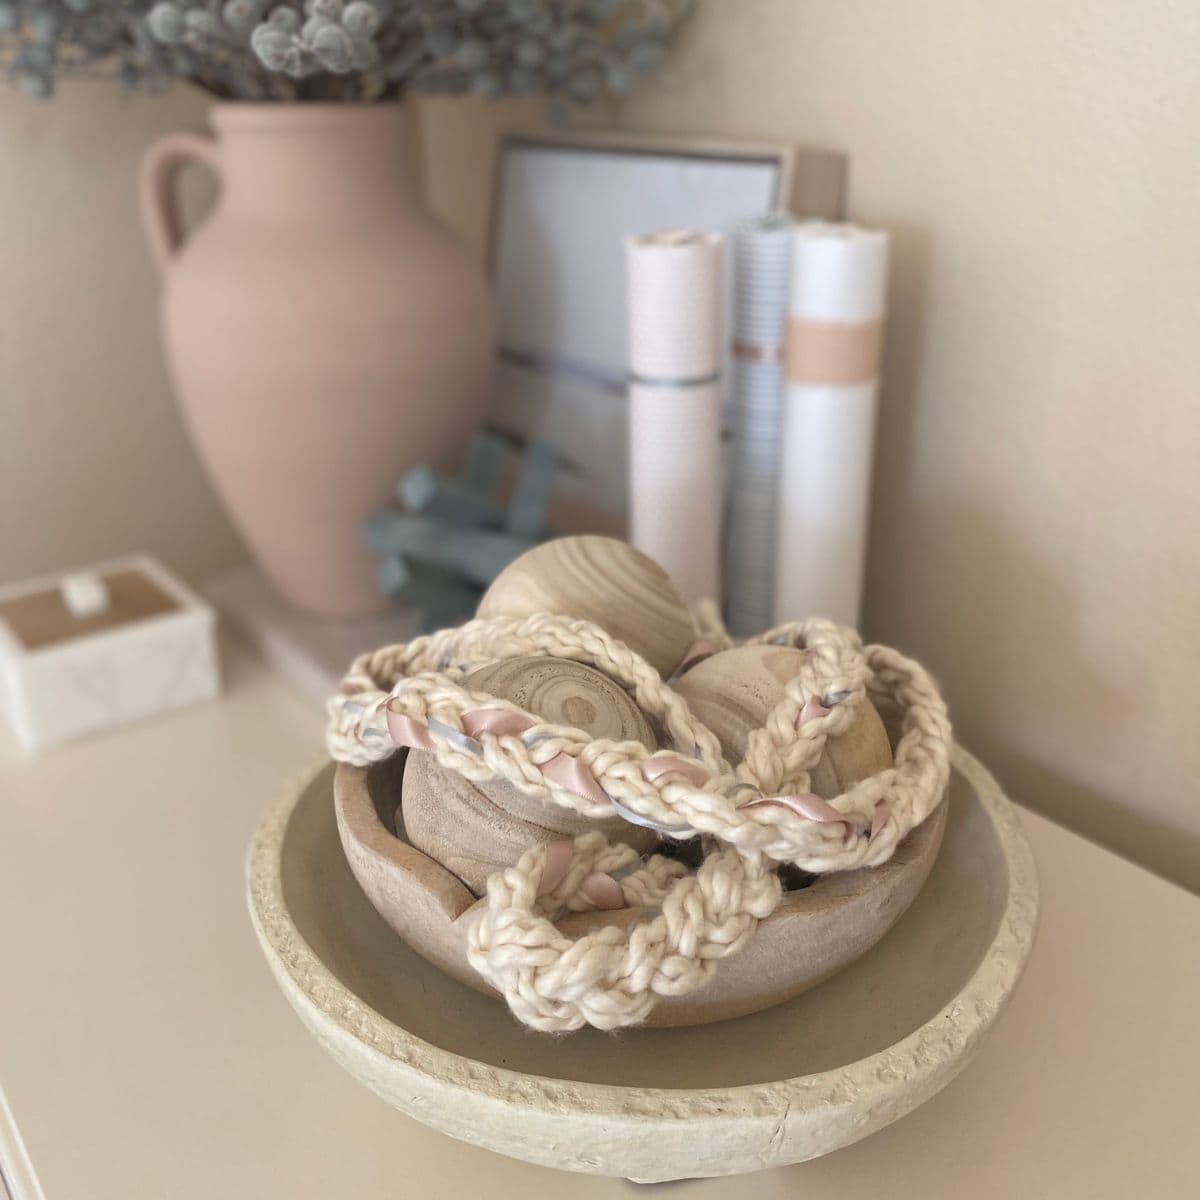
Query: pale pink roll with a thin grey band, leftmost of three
{"type": "Point", "coordinates": [675, 406]}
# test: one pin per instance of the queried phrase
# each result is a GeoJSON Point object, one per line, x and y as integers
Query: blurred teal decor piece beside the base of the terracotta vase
{"type": "Point", "coordinates": [451, 537]}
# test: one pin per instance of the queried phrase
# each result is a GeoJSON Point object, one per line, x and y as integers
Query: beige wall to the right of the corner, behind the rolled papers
{"type": "Point", "coordinates": [1037, 520]}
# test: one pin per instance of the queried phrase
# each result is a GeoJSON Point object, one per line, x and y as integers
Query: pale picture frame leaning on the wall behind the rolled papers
{"type": "Point", "coordinates": [563, 206]}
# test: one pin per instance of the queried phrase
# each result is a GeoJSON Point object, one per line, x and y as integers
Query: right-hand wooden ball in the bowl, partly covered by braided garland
{"type": "Point", "coordinates": [734, 693]}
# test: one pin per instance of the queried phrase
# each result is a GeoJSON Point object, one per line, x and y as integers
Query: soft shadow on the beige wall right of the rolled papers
{"type": "Point", "coordinates": [999, 625]}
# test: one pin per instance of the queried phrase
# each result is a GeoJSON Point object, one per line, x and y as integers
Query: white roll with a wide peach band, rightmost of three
{"type": "Point", "coordinates": [839, 281]}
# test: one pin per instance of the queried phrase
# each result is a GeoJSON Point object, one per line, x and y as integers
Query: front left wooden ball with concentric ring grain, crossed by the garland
{"type": "Point", "coordinates": [475, 830]}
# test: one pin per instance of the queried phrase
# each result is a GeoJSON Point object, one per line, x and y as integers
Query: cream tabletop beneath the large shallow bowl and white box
{"type": "Point", "coordinates": [146, 1052]}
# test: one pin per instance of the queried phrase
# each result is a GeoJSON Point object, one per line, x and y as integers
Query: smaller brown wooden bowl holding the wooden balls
{"type": "Point", "coordinates": [814, 933]}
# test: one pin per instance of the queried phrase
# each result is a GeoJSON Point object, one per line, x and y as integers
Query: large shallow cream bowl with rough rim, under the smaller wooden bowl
{"type": "Point", "coordinates": [788, 1084]}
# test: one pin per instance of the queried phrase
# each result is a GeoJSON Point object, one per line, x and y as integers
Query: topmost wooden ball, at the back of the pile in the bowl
{"type": "Point", "coordinates": [605, 581]}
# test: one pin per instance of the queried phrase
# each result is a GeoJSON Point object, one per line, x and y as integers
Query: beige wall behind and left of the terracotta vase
{"type": "Point", "coordinates": [94, 458]}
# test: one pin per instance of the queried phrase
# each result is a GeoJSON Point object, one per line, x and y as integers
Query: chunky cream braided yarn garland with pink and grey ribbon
{"type": "Point", "coordinates": [752, 817]}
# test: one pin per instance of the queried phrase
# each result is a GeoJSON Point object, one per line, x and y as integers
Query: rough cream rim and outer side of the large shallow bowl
{"type": "Point", "coordinates": [808, 1115]}
